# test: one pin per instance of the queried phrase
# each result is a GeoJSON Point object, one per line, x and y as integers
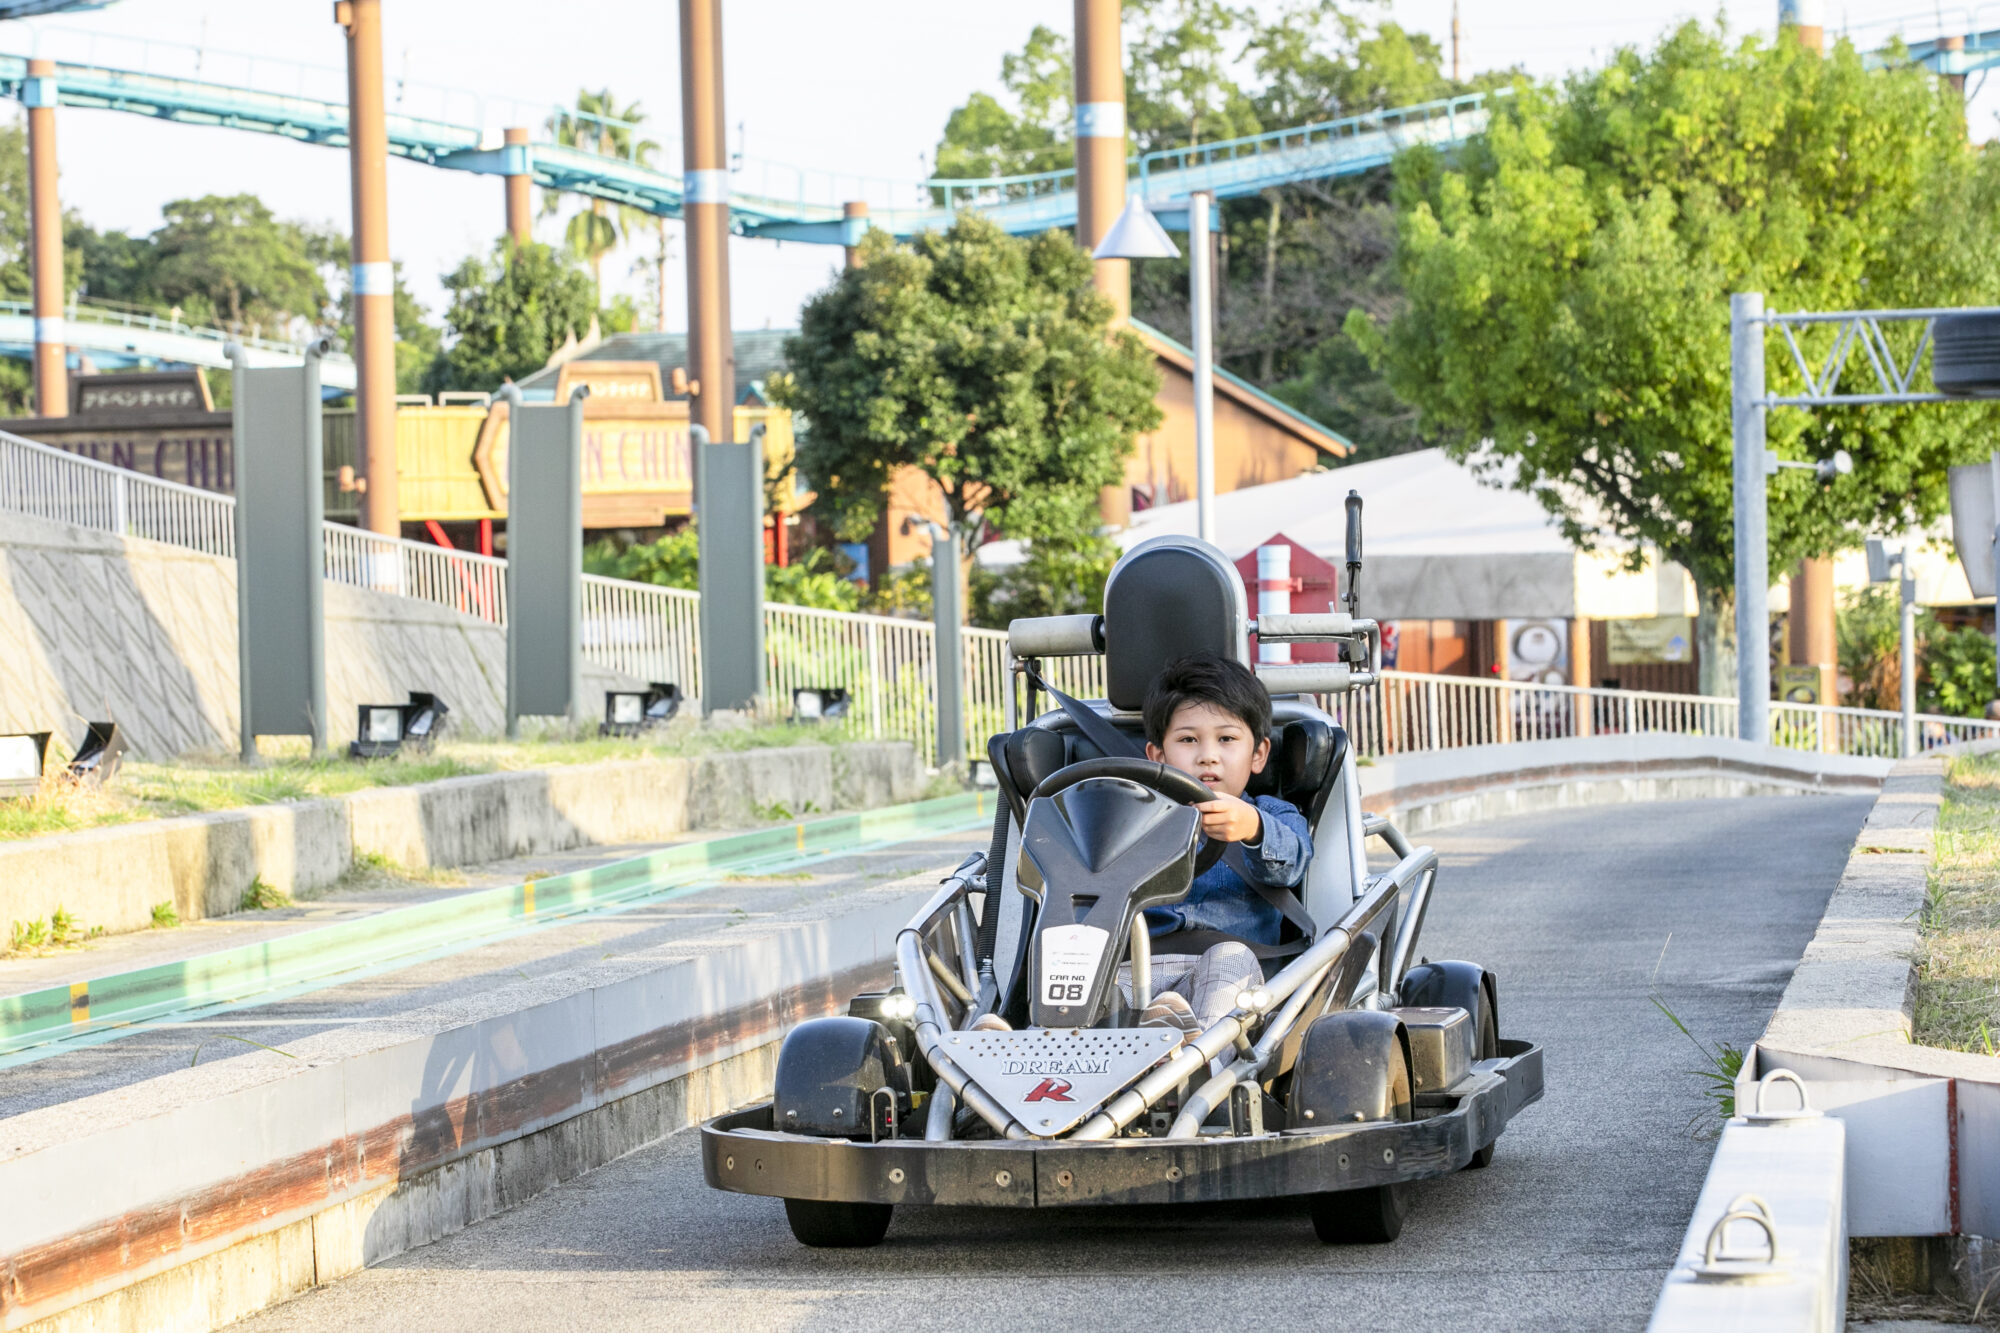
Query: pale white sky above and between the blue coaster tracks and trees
{"type": "Point", "coordinates": [853, 87]}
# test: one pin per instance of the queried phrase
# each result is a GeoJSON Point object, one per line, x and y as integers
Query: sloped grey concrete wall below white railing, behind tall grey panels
{"type": "Point", "coordinates": [139, 633]}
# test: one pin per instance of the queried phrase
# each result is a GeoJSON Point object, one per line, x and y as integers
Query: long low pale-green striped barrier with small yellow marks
{"type": "Point", "coordinates": [95, 1010]}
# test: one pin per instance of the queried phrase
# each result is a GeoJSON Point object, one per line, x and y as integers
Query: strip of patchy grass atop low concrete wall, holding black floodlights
{"type": "Point", "coordinates": [291, 774]}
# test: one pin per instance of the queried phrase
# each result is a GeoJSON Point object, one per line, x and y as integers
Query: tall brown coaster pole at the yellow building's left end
{"type": "Point", "coordinates": [375, 277]}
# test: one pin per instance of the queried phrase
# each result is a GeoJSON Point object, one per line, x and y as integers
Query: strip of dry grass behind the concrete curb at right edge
{"type": "Point", "coordinates": [1959, 954]}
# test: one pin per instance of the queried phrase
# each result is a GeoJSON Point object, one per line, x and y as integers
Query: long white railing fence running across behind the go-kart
{"type": "Point", "coordinates": [887, 663]}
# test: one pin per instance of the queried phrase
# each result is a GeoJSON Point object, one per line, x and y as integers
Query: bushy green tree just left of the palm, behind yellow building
{"type": "Point", "coordinates": [509, 315]}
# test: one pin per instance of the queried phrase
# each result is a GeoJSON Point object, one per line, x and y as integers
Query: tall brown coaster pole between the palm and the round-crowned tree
{"type": "Point", "coordinates": [707, 219]}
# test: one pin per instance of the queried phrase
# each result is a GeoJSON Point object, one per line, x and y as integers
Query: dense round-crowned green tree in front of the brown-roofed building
{"type": "Point", "coordinates": [981, 359]}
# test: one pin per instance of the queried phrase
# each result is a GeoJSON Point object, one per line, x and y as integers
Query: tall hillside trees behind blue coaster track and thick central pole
{"type": "Point", "coordinates": [1295, 261]}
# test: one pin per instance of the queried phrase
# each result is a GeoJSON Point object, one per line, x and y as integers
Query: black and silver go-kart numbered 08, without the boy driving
{"type": "Point", "coordinates": [1007, 1064]}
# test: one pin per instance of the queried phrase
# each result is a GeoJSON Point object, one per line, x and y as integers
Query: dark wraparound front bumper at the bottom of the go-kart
{"type": "Point", "coordinates": [743, 1154]}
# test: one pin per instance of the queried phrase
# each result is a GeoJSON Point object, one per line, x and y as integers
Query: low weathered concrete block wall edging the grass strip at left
{"type": "Point", "coordinates": [203, 864]}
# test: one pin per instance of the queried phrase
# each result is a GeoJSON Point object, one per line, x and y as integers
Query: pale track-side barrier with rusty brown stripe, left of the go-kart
{"type": "Point", "coordinates": [211, 1194]}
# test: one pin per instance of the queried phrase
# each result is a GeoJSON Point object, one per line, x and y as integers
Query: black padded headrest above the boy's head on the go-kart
{"type": "Point", "coordinates": [1165, 599]}
